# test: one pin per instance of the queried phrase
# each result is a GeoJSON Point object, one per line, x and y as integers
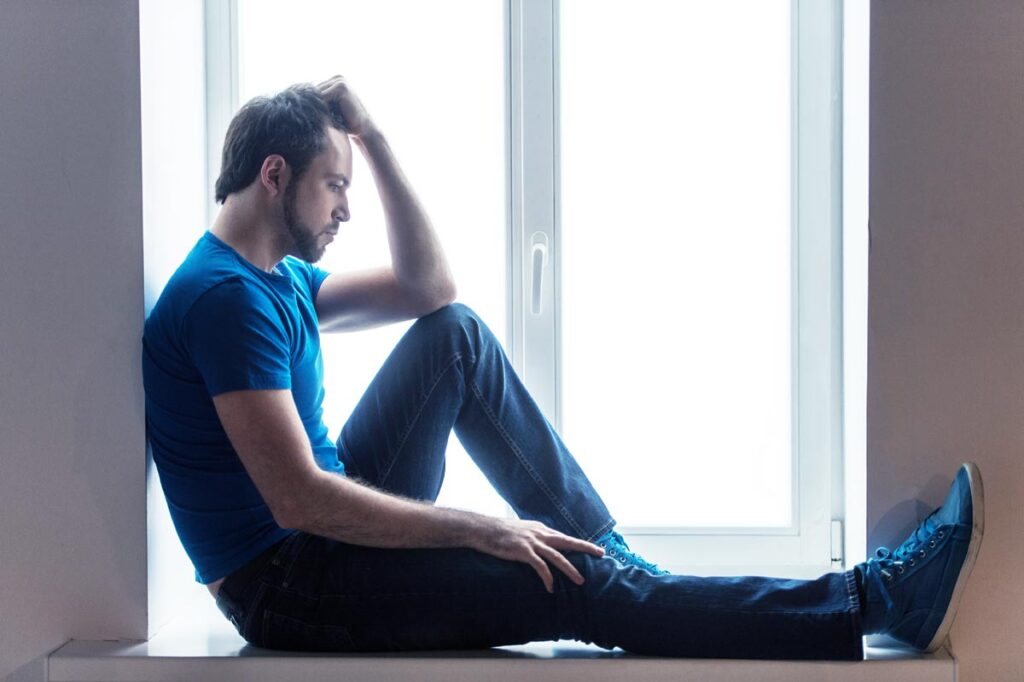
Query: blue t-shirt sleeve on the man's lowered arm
{"type": "Point", "coordinates": [238, 340]}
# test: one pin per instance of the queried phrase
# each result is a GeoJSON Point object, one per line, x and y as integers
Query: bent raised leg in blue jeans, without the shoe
{"type": "Point", "coordinates": [449, 372]}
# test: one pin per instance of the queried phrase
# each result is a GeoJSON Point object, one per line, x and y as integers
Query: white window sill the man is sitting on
{"type": "Point", "coordinates": [206, 648]}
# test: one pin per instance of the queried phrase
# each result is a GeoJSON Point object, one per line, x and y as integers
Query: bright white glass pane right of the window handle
{"type": "Point", "coordinates": [675, 154]}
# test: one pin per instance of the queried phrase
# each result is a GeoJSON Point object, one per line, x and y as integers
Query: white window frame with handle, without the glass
{"type": "Point", "coordinates": [814, 543]}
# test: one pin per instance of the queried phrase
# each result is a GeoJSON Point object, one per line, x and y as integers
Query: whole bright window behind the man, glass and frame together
{"type": "Point", "coordinates": [643, 199]}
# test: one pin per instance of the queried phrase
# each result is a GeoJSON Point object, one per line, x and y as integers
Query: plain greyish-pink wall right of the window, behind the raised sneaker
{"type": "Point", "coordinates": [947, 321]}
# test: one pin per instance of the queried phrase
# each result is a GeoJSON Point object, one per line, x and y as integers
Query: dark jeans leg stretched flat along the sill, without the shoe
{"type": "Point", "coordinates": [326, 595]}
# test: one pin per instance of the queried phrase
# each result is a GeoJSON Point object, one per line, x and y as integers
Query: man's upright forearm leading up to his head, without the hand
{"type": "Point", "coordinates": [417, 255]}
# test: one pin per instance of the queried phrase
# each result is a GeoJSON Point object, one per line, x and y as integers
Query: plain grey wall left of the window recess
{"type": "Point", "coordinates": [72, 464]}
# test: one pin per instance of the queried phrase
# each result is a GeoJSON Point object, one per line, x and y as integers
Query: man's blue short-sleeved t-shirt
{"type": "Point", "coordinates": [224, 325]}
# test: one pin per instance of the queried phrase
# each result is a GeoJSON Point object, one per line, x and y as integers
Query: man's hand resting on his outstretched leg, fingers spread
{"type": "Point", "coordinates": [533, 543]}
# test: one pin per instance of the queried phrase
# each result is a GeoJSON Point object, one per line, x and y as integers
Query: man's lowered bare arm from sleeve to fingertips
{"type": "Point", "coordinates": [266, 431]}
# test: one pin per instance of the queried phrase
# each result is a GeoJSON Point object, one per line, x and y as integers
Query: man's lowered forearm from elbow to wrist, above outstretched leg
{"type": "Point", "coordinates": [345, 510]}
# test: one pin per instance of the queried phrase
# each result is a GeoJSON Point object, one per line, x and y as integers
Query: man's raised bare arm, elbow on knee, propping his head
{"type": "Point", "coordinates": [419, 280]}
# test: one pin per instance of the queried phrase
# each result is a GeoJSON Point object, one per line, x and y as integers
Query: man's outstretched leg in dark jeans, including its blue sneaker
{"type": "Point", "coordinates": [321, 594]}
